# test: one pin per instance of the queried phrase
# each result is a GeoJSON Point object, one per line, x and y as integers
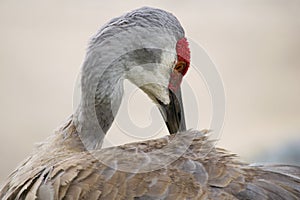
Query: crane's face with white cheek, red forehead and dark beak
{"type": "Point", "coordinates": [162, 83]}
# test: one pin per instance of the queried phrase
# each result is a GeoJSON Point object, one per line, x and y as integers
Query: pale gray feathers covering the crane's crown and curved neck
{"type": "Point", "coordinates": [136, 38]}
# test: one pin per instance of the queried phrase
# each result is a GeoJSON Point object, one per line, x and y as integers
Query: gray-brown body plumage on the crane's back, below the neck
{"type": "Point", "coordinates": [61, 169]}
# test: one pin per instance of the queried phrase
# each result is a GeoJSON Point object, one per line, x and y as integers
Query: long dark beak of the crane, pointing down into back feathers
{"type": "Point", "coordinates": [173, 113]}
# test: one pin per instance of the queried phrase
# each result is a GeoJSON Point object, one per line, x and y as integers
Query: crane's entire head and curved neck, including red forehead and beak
{"type": "Point", "coordinates": [146, 46]}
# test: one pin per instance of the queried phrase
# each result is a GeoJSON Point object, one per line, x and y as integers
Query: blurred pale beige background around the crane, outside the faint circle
{"type": "Point", "coordinates": [255, 45]}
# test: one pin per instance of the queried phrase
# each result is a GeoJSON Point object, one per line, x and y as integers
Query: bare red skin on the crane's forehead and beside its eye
{"type": "Point", "coordinates": [183, 55]}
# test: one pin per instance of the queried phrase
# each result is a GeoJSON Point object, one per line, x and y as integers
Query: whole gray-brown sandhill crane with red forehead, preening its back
{"type": "Point", "coordinates": [71, 164]}
